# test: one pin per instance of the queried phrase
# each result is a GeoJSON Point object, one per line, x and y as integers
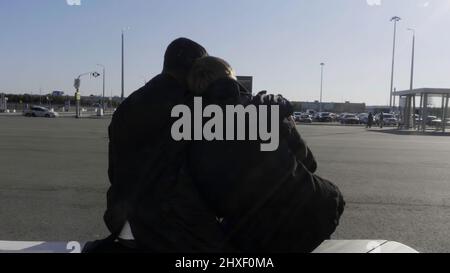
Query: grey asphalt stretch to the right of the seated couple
{"type": "Point", "coordinates": [397, 186]}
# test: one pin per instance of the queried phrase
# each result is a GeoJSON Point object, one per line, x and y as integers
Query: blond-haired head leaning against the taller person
{"type": "Point", "coordinates": [207, 70]}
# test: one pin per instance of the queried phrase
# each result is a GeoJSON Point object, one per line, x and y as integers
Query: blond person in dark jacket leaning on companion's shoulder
{"type": "Point", "coordinates": [270, 202]}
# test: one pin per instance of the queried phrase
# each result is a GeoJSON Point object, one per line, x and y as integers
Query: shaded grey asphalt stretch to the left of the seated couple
{"type": "Point", "coordinates": [53, 178]}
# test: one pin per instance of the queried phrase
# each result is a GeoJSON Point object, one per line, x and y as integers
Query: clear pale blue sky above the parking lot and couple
{"type": "Point", "coordinates": [46, 43]}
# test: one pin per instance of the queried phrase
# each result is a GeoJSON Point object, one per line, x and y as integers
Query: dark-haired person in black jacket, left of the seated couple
{"type": "Point", "coordinates": [150, 200]}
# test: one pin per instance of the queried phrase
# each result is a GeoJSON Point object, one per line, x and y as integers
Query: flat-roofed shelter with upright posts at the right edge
{"type": "Point", "coordinates": [411, 108]}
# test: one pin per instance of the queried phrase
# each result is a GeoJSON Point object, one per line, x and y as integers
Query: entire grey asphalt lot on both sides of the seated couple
{"type": "Point", "coordinates": [53, 181]}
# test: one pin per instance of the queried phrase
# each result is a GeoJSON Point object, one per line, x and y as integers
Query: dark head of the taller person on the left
{"type": "Point", "coordinates": [180, 57]}
